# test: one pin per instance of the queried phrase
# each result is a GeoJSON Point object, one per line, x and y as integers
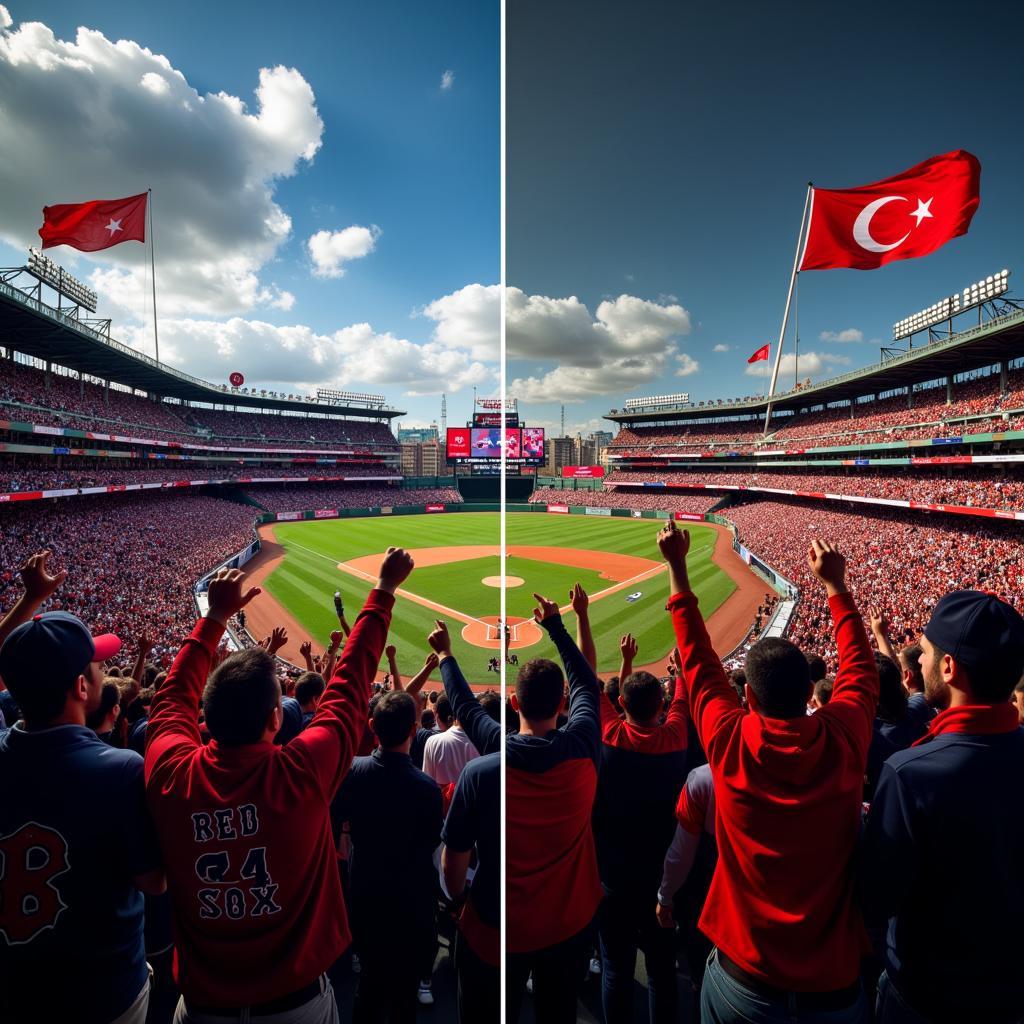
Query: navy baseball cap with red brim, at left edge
{"type": "Point", "coordinates": [55, 643]}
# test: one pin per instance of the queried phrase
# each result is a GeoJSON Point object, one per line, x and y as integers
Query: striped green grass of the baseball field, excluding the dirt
{"type": "Point", "coordinates": [307, 580]}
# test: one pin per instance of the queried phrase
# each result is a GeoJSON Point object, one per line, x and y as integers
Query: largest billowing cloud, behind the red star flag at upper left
{"type": "Point", "coordinates": [98, 119]}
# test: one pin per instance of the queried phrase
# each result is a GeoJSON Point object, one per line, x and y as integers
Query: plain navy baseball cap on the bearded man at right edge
{"type": "Point", "coordinates": [977, 629]}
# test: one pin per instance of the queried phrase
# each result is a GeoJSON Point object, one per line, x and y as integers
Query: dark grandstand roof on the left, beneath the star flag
{"type": "Point", "coordinates": [34, 328]}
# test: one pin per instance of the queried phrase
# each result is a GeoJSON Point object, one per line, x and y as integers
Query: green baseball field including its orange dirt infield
{"type": "Point", "coordinates": [458, 575]}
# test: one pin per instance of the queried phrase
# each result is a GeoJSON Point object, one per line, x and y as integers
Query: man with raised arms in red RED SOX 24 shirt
{"type": "Point", "coordinates": [259, 911]}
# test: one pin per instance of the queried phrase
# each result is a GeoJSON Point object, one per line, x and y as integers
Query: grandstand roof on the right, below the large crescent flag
{"type": "Point", "coordinates": [1001, 338]}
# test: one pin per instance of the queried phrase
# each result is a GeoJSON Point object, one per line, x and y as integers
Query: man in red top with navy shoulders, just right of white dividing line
{"type": "Point", "coordinates": [552, 884]}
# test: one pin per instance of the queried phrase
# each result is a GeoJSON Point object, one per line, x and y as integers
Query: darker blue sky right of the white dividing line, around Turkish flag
{"type": "Point", "coordinates": [662, 152]}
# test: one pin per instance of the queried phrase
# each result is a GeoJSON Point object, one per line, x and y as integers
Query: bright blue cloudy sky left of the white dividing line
{"type": "Point", "coordinates": [364, 132]}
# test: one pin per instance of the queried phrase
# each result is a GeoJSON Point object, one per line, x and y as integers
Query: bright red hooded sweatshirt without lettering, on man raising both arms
{"type": "Point", "coordinates": [789, 794]}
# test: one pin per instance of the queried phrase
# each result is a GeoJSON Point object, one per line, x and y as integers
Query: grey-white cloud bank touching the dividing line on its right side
{"type": "Point", "coordinates": [628, 344]}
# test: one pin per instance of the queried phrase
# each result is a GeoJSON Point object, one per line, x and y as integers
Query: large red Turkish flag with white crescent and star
{"type": "Point", "coordinates": [910, 216]}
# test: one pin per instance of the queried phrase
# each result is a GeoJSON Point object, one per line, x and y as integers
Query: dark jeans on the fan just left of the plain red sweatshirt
{"type": "Point", "coordinates": [627, 924]}
